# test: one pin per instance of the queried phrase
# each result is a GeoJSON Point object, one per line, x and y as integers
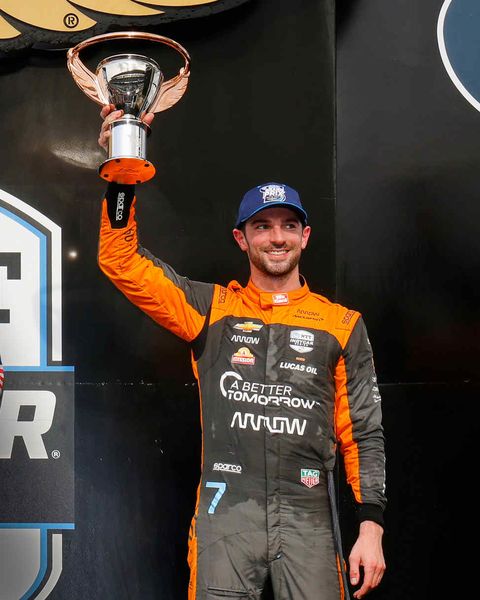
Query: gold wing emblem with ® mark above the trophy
{"type": "Point", "coordinates": [25, 23]}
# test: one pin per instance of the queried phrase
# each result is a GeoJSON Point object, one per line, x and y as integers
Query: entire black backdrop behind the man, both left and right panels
{"type": "Point", "coordinates": [395, 236]}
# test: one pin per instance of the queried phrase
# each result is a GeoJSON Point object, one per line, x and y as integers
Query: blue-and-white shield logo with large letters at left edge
{"type": "Point", "coordinates": [36, 408]}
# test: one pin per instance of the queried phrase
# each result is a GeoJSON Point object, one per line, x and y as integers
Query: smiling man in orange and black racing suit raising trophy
{"type": "Point", "coordinates": [284, 376]}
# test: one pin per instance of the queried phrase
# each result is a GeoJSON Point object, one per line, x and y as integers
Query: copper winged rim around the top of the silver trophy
{"type": "Point", "coordinates": [170, 91]}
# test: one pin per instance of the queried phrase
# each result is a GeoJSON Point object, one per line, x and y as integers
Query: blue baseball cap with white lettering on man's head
{"type": "Point", "coordinates": [266, 196]}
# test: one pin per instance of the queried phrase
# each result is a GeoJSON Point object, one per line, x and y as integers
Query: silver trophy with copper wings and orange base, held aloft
{"type": "Point", "coordinates": [135, 84]}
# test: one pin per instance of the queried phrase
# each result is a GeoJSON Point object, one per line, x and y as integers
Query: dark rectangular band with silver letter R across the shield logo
{"type": "Point", "coordinates": [36, 448]}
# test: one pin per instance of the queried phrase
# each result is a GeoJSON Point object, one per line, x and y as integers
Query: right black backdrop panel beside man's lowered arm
{"type": "Point", "coordinates": [408, 251]}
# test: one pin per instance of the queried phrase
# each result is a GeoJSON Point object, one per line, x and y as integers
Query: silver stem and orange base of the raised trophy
{"type": "Point", "coordinates": [127, 162]}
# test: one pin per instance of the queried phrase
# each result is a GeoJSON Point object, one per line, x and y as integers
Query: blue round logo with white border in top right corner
{"type": "Point", "coordinates": [459, 44]}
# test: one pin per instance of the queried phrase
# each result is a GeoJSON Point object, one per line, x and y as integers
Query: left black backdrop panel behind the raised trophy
{"type": "Point", "coordinates": [260, 107]}
